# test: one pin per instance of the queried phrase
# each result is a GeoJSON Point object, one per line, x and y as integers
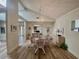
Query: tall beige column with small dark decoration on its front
{"type": "Point", "coordinates": [12, 25]}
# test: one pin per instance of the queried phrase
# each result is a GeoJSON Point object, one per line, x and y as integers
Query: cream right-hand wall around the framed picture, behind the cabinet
{"type": "Point", "coordinates": [72, 38]}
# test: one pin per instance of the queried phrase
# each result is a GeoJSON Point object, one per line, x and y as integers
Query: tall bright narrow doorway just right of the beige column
{"type": "Point", "coordinates": [21, 33]}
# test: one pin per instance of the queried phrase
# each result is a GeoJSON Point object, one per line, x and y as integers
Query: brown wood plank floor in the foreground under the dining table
{"type": "Point", "coordinates": [52, 52]}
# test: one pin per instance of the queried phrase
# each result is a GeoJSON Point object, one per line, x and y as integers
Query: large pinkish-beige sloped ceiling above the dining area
{"type": "Point", "coordinates": [52, 9]}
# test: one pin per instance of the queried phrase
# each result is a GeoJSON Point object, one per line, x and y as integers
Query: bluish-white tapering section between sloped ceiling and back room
{"type": "Point", "coordinates": [30, 15]}
